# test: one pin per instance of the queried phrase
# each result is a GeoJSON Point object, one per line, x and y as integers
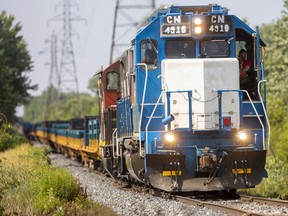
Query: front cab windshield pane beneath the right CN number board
{"type": "Point", "coordinates": [214, 48]}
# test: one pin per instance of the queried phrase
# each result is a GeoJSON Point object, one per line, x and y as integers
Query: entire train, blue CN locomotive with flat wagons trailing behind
{"type": "Point", "coordinates": [174, 114]}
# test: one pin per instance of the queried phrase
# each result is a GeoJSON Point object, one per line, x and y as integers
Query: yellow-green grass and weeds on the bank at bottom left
{"type": "Point", "coordinates": [29, 185]}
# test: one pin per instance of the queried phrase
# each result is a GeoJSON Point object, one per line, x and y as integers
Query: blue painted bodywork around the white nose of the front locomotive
{"type": "Point", "coordinates": [191, 142]}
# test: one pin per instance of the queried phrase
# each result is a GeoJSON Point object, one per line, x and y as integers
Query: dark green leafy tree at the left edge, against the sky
{"type": "Point", "coordinates": [15, 62]}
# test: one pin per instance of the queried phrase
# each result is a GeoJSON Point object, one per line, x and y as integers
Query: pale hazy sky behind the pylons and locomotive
{"type": "Point", "coordinates": [93, 36]}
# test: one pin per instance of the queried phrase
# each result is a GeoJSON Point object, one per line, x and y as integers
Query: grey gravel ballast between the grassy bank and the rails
{"type": "Point", "coordinates": [103, 190]}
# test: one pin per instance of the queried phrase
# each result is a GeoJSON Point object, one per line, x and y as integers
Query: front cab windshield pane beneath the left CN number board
{"type": "Point", "coordinates": [180, 49]}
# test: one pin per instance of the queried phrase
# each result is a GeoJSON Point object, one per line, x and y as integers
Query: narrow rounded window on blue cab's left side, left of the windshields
{"type": "Point", "coordinates": [149, 51]}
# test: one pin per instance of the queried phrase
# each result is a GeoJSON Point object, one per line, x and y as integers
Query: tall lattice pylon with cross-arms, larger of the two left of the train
{"type": "Point", "coordinates": [67, 75]}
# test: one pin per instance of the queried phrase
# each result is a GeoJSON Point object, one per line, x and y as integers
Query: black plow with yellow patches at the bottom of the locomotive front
{"type": "Point", "coordinates": [237, 170]}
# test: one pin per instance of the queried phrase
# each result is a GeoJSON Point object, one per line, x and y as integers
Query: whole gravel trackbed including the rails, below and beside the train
{"type": "Point", "coordinates": [137, 200]}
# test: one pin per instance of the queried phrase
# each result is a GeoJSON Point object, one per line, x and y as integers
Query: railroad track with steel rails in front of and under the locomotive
{"type": "Point", "coordinates": [233, 204]}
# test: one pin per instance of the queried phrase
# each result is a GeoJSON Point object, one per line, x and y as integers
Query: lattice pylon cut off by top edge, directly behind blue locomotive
{"type": "Point", "coordinates": [121, 30]}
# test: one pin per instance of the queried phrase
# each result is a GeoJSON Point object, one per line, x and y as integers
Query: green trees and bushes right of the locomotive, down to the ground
{"type": "Point", "coordinates": [276, 63]}
